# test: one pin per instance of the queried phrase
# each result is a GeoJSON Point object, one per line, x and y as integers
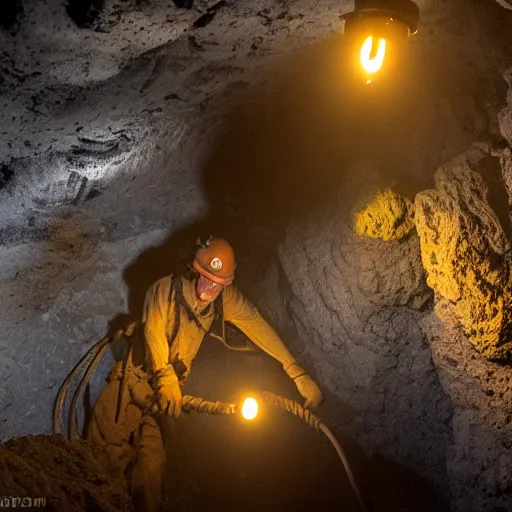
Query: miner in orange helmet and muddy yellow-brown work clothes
{"type": "Point", "coordinates": [178, 312]}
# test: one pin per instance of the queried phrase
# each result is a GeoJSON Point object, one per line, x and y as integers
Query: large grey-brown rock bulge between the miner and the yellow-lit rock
{"type": "Point", "coordinates": [356, 303]}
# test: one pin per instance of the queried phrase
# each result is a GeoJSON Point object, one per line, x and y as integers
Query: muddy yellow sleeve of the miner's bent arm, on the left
{"type": "Point", "coordinates": [156, 306]}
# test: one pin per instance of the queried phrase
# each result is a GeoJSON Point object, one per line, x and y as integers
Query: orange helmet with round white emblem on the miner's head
{"type": "Point", "coordinates": [215, 260]}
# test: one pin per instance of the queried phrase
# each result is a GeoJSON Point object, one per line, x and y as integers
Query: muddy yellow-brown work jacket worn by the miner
{"type": "Point", "coordinates": [159, 317]}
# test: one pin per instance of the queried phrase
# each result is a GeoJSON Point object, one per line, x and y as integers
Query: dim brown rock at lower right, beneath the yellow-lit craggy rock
{"type": "Point", "coordinates": [479, 460]}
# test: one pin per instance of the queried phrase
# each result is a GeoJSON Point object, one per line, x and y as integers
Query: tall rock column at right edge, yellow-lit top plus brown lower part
{"type": "Point", "coordinates": [464, 227]}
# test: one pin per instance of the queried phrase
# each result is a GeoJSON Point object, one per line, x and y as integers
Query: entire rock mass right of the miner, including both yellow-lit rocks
{"type": "Point", "coordinates": [357, 302]}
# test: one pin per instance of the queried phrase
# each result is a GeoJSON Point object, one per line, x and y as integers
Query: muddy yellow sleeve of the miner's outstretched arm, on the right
{"type": "Point", "coordinates": [244, 315]}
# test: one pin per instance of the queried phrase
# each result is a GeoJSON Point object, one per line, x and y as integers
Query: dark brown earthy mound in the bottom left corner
{"type": "Point", "coordinates": [68, 476]}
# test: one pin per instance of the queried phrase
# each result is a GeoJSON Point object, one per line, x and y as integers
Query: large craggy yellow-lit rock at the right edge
{"type": "Point", "coordinates": [465, 229]}
